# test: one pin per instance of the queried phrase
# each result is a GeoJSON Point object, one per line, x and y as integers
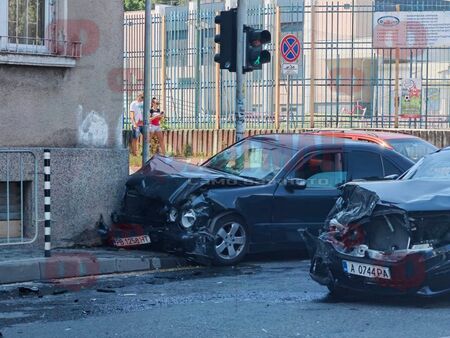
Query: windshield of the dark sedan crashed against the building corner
{"type": "Point", "coordinates": [253, 159]}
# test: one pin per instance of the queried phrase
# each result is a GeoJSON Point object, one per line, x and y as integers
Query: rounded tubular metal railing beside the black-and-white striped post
{"type": "Point", "coordinates": [18, 197]}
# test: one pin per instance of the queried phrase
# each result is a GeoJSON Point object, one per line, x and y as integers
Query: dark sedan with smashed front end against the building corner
{"type": "Point", "coordinates": [251, 197]}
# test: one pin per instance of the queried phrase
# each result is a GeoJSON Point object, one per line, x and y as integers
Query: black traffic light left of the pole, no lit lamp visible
{"type": "Point", "coordinates": [227, 39]}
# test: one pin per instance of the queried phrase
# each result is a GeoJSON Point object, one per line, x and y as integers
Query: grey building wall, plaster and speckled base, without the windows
{"type": "Point", "coordinates": [76, 110]}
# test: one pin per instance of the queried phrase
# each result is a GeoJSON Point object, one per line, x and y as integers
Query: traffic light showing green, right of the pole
{"type": "Point", "coordinates": [255, 55]}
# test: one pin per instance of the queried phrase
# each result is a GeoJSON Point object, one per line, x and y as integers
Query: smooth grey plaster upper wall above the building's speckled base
{"type": "Point", "coordinates": [51, 106]}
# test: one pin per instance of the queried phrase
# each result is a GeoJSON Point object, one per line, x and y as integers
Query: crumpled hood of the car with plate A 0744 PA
{"type": "Point", "coordinates": [412, 195]}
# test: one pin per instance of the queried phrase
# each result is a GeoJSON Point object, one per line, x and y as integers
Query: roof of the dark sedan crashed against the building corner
{"type": "Point", "coordinates": [301, 141]}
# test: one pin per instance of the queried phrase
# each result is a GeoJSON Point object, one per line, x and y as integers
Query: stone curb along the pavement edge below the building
{"type": "Point", "coordinates": [71, 265]}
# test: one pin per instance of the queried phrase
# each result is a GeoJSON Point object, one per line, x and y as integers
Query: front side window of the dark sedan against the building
{"type": "Point", "coordinates": [322, 170]}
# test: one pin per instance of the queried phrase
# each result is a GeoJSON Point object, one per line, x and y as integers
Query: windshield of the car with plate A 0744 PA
{"type": "Point", "coordinates": [435, 166]}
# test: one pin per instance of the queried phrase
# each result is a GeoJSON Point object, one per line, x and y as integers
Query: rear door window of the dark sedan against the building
{"type": "Point", "coordinates": [365, 165]}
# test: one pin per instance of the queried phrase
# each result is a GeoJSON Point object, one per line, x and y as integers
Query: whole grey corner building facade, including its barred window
{"type": "Point", "coordinates": [61, 74]}
